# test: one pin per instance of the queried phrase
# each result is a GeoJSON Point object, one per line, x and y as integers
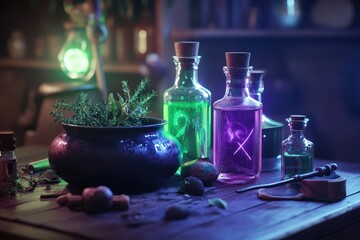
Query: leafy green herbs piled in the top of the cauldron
{"type": "Point", "coordinates": [126, 109]}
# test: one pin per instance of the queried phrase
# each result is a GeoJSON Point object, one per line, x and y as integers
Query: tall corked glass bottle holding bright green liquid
{"type": "Point", "coordinates": [187, 104]}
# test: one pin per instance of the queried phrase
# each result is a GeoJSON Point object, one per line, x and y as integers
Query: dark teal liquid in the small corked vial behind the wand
{"type": "Point", "coordinates": [296, 164]}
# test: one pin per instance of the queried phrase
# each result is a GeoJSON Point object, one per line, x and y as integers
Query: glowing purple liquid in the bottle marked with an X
{"type": "Point", "coordinates": [237, 144]}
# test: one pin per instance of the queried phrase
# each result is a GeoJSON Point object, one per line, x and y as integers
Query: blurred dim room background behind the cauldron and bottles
{"type": "Point", "coordinates": [310, 50]}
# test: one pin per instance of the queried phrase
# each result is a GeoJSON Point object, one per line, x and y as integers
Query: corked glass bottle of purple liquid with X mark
{"type": "Point", "coordinates": [237, 125]}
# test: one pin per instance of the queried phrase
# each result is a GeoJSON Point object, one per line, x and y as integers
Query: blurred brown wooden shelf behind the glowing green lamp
{"type": "Point", "coordinates": [131, 68]}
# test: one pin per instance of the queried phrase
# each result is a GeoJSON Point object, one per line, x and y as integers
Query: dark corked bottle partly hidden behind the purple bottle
{"type": "Point", "coordinates": [272, 131]}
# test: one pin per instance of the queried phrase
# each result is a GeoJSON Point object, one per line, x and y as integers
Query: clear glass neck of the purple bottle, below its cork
{"type": "Point", "coordinates": [237, 81]}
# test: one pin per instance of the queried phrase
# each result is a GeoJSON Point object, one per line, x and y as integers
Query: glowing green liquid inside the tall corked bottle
{"type": "Point", "coordinates": [189, 122]}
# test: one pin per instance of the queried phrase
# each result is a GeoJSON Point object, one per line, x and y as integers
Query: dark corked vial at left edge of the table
{"type": "Point", "coordinates": [8, 161]}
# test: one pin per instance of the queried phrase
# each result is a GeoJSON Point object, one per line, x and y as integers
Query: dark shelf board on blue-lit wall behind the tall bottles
{"type": "Point", "coordinates": [274, 33]}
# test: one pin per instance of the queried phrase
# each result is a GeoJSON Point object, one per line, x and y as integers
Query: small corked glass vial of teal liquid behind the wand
{"type": "Point", "coordinates": [297, 152]}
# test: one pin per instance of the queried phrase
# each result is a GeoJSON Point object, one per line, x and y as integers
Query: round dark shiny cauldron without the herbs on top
{"type": "Point", "coordinates": [129, 159]}
